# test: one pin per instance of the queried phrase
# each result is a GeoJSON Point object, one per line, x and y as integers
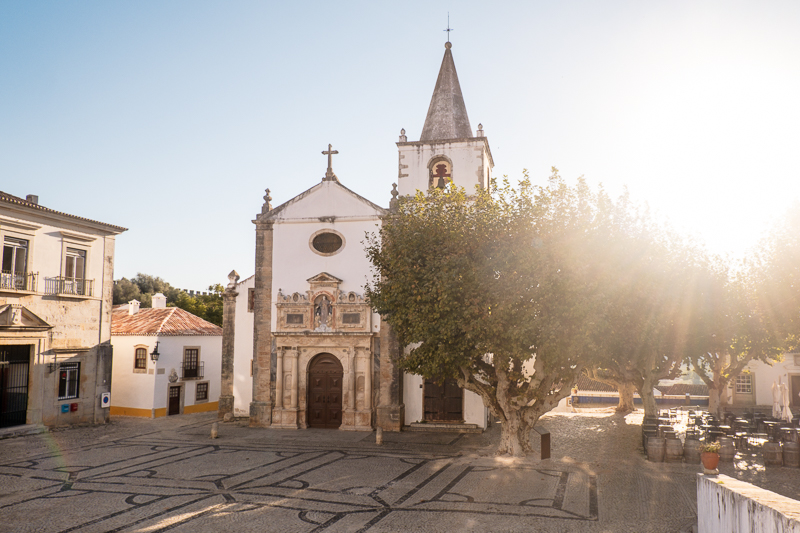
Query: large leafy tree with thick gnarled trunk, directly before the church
{"type": "Point", "coordinates": [495, 290]}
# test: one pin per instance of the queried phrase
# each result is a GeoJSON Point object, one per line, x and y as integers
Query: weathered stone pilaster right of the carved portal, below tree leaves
{"type": "Point", "coordinates": [391, 410]}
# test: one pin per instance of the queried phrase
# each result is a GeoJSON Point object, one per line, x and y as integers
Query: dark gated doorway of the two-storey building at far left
{"type": "Point", "coordinates": [14, 369]}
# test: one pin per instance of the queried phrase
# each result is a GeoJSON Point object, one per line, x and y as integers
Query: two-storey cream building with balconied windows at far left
{"type": "Point", "coordinates": [56, 284]}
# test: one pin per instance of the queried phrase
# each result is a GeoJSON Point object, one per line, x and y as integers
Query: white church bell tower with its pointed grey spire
{"type": "Point", "coordinates": [447, 150]}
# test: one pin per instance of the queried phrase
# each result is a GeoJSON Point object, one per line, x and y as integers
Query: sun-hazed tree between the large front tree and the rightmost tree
{"type": "Point", "coordinates": [646, 280]}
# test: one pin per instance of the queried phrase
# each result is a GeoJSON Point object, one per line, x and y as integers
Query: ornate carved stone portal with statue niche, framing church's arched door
{"type": "Point", "coordinates": [323, 320]}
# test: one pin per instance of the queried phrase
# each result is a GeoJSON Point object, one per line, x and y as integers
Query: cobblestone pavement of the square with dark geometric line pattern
{"type": "Point", "coordinates": [141, 475]}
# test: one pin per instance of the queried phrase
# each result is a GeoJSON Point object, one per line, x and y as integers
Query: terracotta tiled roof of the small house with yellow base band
{"type": "Point", "coordinates": [162, 321]}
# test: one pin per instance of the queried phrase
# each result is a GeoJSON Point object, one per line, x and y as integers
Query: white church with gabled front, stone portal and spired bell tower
{"type": "Point", "coordinates": [301, 346]}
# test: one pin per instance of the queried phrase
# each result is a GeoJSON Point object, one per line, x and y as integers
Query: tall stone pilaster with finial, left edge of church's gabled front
{"type": "Point", "coordinates": [261, 406]}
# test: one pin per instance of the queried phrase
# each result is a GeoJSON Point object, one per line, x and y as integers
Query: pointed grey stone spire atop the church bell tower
{"type": "Point", "coordinates": [447, 115]}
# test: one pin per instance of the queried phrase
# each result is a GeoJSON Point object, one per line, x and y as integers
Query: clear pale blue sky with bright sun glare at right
{"type": "Point", "coordinates": [171, 118]}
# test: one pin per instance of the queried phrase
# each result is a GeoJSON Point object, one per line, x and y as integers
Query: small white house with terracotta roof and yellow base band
{"type": "Point", "coordinates": [166, 361]}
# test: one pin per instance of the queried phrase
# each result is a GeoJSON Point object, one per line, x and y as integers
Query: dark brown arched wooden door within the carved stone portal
{"type": "Point", "coordinates": [325, 392]}
